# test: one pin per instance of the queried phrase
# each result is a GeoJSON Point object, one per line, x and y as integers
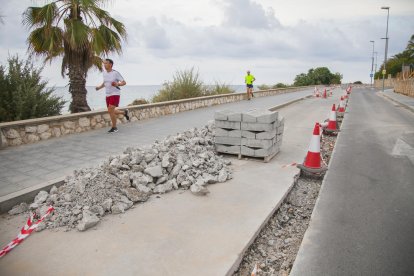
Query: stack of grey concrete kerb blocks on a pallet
{"type": "Point", "coordinates": [255, 133]}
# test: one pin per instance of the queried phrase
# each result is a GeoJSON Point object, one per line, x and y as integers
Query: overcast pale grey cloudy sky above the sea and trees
{"type": "Point", "coordinates": [275, 39]}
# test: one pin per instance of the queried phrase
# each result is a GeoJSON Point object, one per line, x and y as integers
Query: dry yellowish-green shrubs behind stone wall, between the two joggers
{"type": "Point", "coordinates": [187, 84]}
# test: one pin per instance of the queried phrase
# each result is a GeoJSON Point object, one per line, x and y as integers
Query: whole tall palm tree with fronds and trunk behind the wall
{"type": "Point", "coordinates": [81, 33]}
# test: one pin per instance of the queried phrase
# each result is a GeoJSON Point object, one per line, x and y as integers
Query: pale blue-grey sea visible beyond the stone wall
{"type": "Point", "coordinates": [129, 93]}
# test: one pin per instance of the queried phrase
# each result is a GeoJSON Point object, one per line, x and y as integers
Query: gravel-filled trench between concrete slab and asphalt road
{"type": "Point", "coordinates": [275, 248]}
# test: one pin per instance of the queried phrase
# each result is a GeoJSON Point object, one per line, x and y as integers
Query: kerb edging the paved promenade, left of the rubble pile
{"type": "Point", "coordinates": [27, 195]}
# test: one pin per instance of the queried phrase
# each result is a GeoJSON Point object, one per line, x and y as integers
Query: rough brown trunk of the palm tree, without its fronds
{"type": "Point", "coordinates": [77, 87]}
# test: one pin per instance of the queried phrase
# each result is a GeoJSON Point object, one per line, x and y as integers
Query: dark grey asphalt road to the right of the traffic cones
{"type": "Point", "coordinates": [363, 222]}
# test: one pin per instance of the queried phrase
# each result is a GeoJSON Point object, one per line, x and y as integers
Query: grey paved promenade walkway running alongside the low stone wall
{"type": "Point", "coordinates": [26, 169]}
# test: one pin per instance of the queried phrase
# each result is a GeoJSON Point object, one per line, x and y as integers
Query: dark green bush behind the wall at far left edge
{"type": "Point", "coordinates": [23, 95]}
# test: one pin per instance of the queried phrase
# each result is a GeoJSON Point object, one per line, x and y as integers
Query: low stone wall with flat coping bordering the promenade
{"type": "Point", "coordinates": [30, 131]}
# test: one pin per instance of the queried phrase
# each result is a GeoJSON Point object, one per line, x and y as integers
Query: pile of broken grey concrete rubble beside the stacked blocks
{"type": "Point", "coordinates": [185, 161]}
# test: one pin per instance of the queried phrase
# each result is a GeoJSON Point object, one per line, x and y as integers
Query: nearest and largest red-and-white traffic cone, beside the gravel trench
{"type": "Point", "coordinates": [312, 163]}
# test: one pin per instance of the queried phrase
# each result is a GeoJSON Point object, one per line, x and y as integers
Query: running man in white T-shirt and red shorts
{"type": "Point", "coordinates": [112, 81]}
